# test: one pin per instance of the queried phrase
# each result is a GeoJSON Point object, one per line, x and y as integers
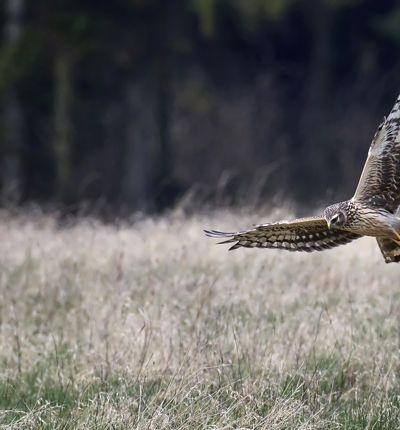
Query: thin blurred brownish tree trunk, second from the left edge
{"type": "Point", "coordinates": [63, 96]}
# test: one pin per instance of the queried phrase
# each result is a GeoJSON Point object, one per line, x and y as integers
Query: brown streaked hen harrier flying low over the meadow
{"type": "Point", "coordinates": [370, 212]}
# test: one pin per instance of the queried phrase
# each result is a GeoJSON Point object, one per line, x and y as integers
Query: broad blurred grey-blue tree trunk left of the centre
{"type": "Point", "coordinates": [149, 162]}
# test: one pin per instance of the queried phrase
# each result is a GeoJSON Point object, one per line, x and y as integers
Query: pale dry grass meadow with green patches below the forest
{"type": "Point", "coordinates": [153, 326]}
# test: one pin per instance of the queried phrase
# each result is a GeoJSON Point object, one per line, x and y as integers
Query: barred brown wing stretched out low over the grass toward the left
{"type": "Point", "coordinates": [303, 234]}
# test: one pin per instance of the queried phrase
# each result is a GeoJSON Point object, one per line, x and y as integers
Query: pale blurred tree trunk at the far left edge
{"type": "Point", "coordinates": [13, 117]}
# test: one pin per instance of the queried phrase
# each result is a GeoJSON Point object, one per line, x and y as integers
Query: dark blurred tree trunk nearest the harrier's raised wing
{"type": "Point", "coordinates": [310, 154]}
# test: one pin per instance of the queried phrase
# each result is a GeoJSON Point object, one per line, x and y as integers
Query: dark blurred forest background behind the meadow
{"type": "Point", "coordinates": [136, 104]}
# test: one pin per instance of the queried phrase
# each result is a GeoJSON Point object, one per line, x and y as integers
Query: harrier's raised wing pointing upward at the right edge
{"type": "Point", "coordinates": [379, 184]}
